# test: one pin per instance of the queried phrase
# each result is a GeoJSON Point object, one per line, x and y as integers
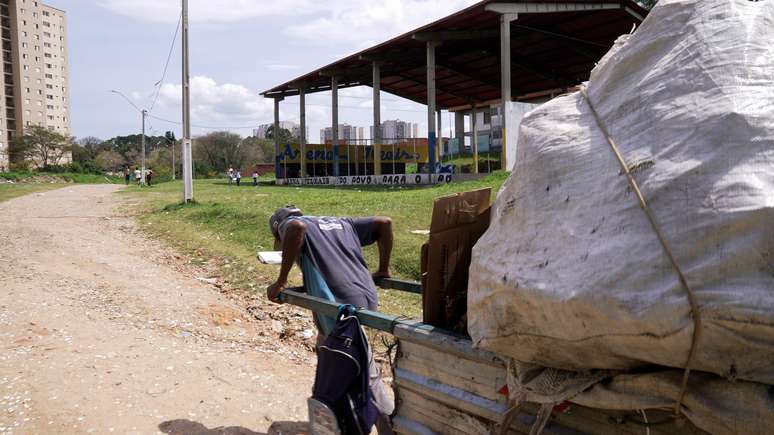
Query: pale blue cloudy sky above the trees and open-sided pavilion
{"type": "Point", "coordinates": [238, 48]}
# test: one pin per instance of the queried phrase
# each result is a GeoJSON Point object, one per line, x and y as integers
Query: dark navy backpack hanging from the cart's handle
{"type": "Point", "coordinates": [342, 378]}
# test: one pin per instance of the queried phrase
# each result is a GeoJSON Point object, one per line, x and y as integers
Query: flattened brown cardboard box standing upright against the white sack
{"type": "Point", "coordinates": [458, 222]}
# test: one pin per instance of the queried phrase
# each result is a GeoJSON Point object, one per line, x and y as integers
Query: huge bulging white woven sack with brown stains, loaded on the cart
{"type": "Point", "coordinates": [571, 274]}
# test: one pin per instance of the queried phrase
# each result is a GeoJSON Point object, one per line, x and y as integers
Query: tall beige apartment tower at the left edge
{"type": "Point", "coordinates": [36, 84]}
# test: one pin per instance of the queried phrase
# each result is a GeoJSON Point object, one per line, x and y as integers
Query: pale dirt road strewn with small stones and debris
{"type": "Point", "coordinates": [99, 335]}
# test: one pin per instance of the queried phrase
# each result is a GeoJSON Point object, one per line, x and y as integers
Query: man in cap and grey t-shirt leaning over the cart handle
{"type": "Point", "coordinates": [328, 250]}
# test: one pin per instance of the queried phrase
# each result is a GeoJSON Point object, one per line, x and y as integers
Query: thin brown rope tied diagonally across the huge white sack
{"type": "Point", "coordinates": [695, 312]}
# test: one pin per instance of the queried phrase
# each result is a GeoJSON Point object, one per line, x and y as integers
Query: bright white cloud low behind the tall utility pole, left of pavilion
{"type": "Point", "coordinates": [219, 105]}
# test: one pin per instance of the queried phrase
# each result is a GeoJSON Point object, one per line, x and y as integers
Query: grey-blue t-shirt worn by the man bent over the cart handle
{"type": "Point", "coordinates": [333, 245]}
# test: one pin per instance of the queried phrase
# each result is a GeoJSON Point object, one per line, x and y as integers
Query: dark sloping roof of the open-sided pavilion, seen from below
{"type": "Point", "coordinates": [549, 53]}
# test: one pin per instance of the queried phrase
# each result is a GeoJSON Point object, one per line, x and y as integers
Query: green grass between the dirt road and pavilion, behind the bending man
{"type": "Point", "coordinates": [231, 224]}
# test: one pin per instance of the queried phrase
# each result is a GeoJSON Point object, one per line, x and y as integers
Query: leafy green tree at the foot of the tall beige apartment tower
{"type": "Point", "coordinates": [43, 146]}
